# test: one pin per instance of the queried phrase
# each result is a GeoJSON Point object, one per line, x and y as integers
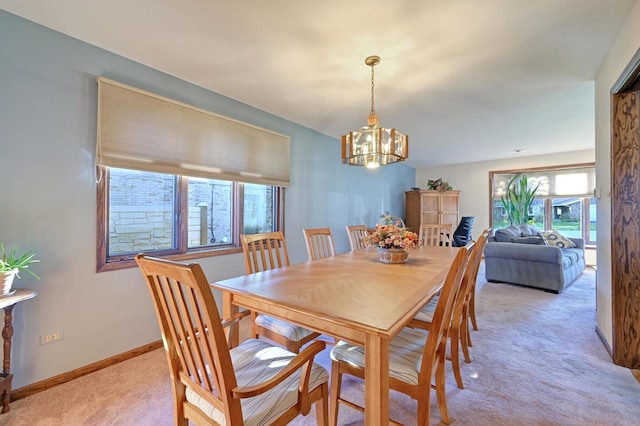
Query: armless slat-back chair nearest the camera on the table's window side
{"type": "Point", "coordinates": [263, 252]}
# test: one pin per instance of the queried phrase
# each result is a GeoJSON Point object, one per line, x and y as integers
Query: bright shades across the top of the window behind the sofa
{"type": "Point", "coordinates": [576, 182]}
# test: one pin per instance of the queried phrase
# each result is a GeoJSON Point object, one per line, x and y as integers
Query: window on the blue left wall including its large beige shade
{"type": "Point", "coordinates": [181, 181]}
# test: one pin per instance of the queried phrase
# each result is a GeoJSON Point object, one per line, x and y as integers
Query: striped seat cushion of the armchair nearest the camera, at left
{"type": "Point", "coordinates": [256, 361]}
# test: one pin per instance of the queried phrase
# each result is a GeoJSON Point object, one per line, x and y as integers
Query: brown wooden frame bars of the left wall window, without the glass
{"type": "Point", "coordinates": [182, 251]}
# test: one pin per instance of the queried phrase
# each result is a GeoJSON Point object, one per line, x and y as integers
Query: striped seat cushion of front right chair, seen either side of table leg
{"type": "Point", "coordinates": [405, 354]}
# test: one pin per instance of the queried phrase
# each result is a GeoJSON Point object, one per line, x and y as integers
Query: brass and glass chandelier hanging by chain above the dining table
{"type": "Point", "coordinates": [373, 145]}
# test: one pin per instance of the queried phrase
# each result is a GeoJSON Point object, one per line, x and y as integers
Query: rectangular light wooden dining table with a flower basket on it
{"type": "Point", "coordinates": [351, 296]}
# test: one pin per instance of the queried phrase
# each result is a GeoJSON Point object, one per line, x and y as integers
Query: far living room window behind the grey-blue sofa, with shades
{"type": "Point", "coordinates": [563, 202]}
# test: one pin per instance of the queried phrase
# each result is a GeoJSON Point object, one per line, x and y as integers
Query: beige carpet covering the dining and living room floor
{"type": "Point", "coordinates": [536, 360]}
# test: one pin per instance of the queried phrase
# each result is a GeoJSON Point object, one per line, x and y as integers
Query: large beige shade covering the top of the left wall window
{"type": "Point", "coordinates": [143, 131]}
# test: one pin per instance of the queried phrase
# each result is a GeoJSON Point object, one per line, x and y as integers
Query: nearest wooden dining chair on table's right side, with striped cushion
{"type": "Point", "coordinates": [415, 357]}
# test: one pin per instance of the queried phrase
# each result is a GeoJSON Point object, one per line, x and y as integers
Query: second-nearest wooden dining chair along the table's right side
{"type": "Point", "coordinates": [458, 333]}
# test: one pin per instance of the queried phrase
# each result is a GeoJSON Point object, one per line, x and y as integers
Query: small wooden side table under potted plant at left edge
{"type": "Point", "coordinates": [7, 303]}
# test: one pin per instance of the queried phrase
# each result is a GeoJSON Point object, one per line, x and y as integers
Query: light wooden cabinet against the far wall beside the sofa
{"type": "Point", "coordinates": [427, 206]}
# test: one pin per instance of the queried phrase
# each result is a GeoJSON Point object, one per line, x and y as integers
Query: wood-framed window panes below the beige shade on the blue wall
{"type": "Point", "coordinates": [178, 216]}
